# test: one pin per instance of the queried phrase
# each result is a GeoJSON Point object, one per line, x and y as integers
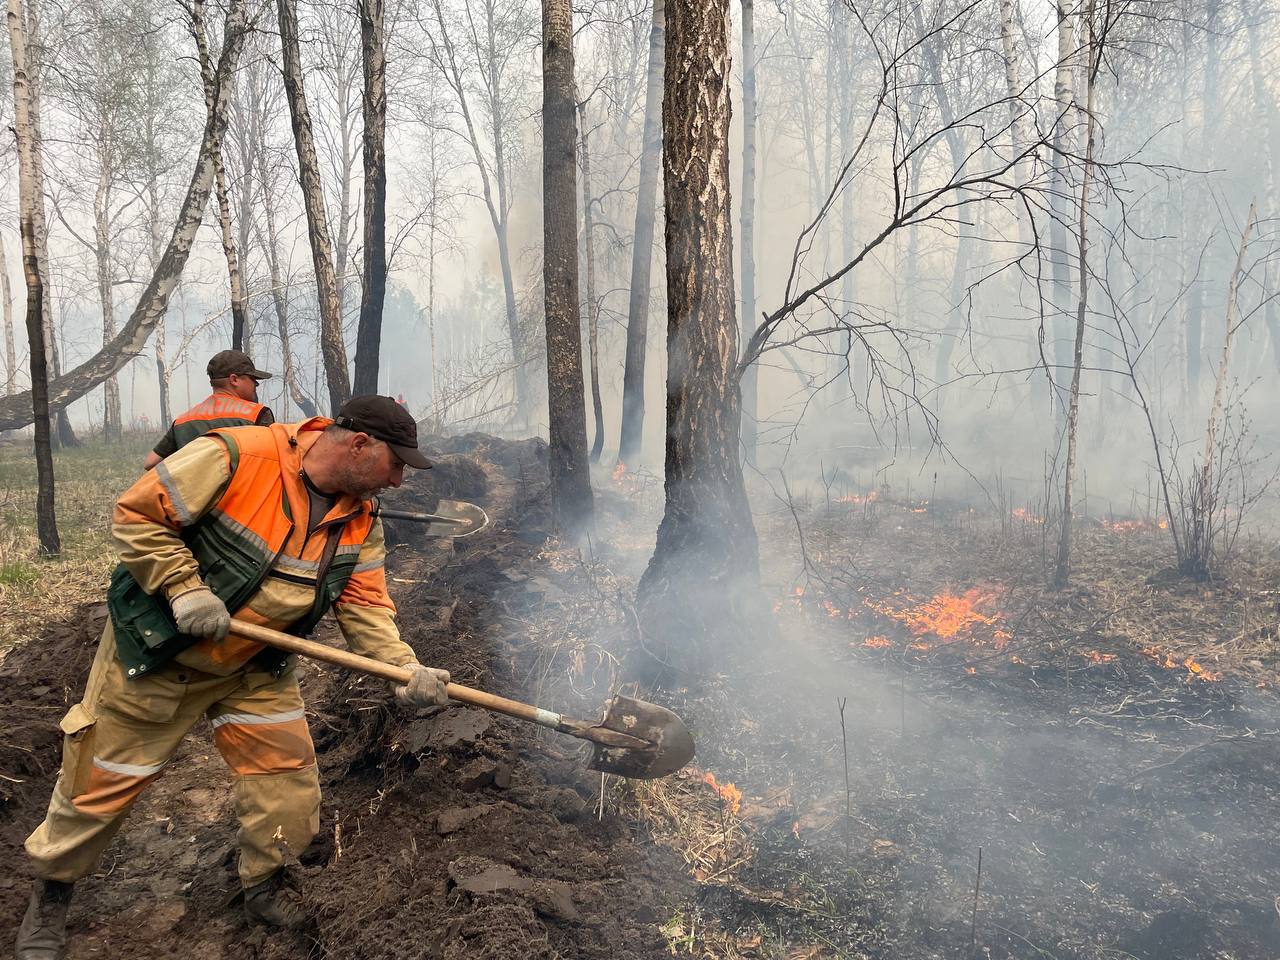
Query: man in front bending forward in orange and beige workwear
{"type": "Point", "coordinates": [269, 525]}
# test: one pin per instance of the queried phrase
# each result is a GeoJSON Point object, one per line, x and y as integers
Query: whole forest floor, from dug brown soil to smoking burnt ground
{"type": "Point", "coordinates": [918, 698]}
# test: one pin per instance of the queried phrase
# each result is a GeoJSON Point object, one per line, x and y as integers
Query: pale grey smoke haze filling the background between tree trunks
{"type": "Point", "coordinates": [948, 346]}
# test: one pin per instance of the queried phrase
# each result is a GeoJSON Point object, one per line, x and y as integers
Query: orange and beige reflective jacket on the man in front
{"type": "Point", "coordinates": [231, 511]}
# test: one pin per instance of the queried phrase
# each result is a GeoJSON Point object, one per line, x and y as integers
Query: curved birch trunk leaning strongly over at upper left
{"type": "Point", "coordinates": [16, 412]}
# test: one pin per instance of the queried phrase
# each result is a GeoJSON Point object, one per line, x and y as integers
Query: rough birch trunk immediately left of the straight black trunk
{"type": "Point", "coordinates": [332, 346]}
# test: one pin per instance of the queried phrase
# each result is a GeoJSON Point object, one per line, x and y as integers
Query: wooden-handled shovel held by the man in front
{"type": "Point", "coordinates": [636, 739]}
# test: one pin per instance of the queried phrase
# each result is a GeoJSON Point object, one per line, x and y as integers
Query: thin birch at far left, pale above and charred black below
{"type": "Point", "coordinates": [33, 225]}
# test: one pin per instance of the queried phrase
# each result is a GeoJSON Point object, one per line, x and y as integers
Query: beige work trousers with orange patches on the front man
{"type": "Point", "coordinates": [121, 737]}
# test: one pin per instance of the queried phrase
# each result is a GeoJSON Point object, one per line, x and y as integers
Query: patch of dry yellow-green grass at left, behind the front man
{"type": "Point", "coordinates": [35, 591]}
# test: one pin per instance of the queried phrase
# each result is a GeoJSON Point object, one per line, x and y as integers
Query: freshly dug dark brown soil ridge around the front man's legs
{"type": "Point", "coordinates": [454, 834]}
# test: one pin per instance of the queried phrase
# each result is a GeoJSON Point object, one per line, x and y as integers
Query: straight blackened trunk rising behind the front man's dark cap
{"type": "Point", "coordinates": [374, 292]}
